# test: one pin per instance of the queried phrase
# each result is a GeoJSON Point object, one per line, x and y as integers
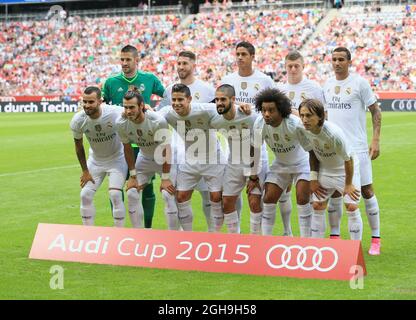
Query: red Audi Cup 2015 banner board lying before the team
{"type": "Point", "coordinates": [202, 251]}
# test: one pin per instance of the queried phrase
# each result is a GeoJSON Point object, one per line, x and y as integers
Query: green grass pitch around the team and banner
{"type": "Point", "coordinates": [39, 182]}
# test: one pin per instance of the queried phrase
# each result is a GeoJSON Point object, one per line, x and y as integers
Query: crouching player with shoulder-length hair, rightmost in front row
{"type": "Point", "coordinates": [338, 168]}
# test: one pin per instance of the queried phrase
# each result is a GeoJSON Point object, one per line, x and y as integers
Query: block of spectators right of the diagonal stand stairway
{"type": "Point", "coordinates": [382, 43]}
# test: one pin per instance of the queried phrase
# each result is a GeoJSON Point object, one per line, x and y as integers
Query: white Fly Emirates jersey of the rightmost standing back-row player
{"type": "Point", "coordinates": [346, 102]}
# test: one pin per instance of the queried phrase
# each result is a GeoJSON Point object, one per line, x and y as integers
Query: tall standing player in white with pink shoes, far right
{"type": "Point", "coordinates": [347, 97]}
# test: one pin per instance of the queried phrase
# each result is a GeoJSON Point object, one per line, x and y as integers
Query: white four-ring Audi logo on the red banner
{"type": "Point", "coordinates": [317, 258]}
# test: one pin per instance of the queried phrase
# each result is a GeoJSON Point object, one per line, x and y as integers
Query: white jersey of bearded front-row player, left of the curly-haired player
{"type": "Point", "coordinates": [238, 133]}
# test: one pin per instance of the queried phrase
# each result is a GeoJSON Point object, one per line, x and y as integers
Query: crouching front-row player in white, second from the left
{"type": "Point", "coordinates": [150, 132]}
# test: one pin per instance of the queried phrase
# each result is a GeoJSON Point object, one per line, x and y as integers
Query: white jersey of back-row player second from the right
{"type": "Point", "coordinates": [306, 89]}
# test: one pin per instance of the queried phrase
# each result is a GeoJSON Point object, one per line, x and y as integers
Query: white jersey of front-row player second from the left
{"type": "Point", "coordinates": [148, 135]}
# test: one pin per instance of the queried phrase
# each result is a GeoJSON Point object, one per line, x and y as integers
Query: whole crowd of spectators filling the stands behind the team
{"type": "Point", "coordinates": [45, 58]}
